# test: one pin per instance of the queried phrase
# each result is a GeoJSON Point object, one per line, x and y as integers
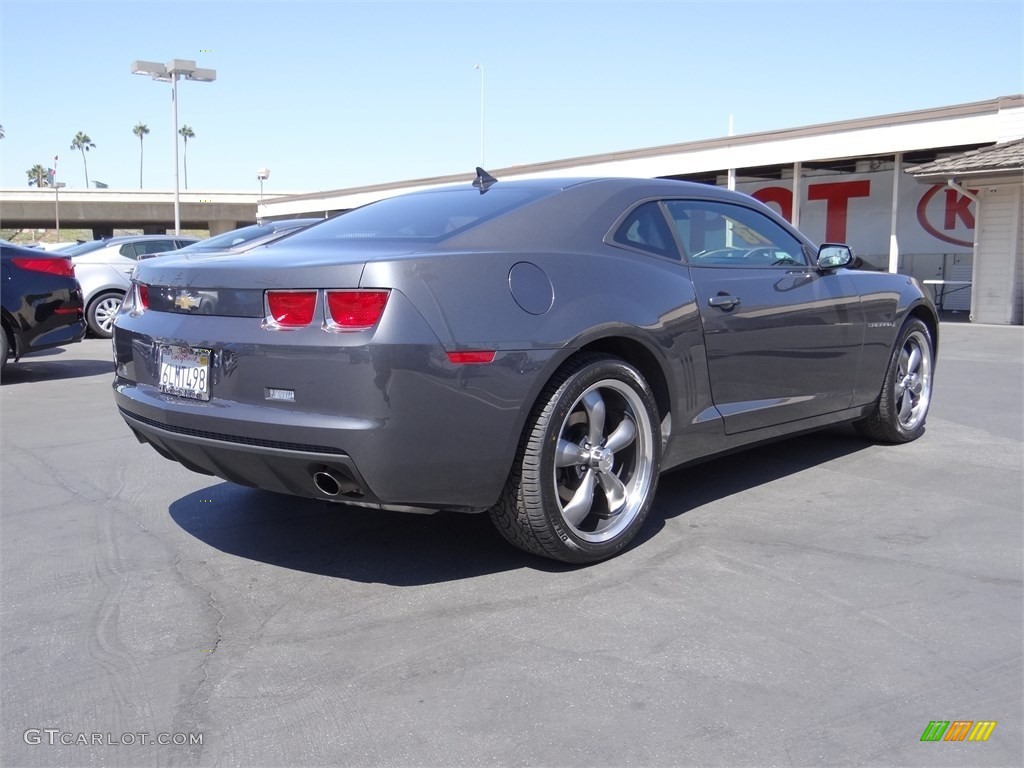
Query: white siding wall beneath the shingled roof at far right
{"type": "Point", "coordinates": [997, 294]}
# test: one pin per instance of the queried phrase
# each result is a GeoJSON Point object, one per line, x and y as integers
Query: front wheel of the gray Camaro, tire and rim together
{"type": "Point", "coordinates": [902, 410]}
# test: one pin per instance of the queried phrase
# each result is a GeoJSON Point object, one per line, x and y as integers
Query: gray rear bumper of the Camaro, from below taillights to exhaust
{"type": "Point", "coordinates": [397, 423]}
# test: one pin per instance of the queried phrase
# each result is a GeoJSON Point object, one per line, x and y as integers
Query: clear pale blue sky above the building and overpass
{"type": "Point", "coordinates": [336, 95]}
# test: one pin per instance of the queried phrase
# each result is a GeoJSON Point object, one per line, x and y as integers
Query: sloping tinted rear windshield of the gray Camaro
{"type": "Point", "coordinates": [424, 217]}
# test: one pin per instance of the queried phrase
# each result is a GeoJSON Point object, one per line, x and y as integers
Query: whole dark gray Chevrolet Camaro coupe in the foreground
{"type": "Point", "coordinates": [538, 350]}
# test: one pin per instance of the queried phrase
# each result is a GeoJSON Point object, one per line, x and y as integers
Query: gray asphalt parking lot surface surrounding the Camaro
{"type": "Point", "coordinates": [814, 603]}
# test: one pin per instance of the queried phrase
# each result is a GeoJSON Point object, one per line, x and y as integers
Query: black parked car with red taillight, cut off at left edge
{"type": "Point", "coordinates": [41, 302]}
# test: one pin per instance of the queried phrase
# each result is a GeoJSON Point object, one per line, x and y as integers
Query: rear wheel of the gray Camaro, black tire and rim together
{"type": "Point", "coordinates": [561, 498]}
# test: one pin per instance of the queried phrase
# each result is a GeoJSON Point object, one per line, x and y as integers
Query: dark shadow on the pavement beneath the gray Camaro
{"type": "Point", "coordinates": [404, 549]}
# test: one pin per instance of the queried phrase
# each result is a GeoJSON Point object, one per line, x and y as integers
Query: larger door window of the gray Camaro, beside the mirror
{"type": "Point", "coordinates": [728, 235]}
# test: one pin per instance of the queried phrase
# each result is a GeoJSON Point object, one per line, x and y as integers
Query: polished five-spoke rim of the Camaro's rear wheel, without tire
{"type": "Point", "coordinates": [605, 461]}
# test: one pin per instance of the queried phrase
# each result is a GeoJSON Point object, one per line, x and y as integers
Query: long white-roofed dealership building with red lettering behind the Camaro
{"type": "Point", "coordinates": [935, 194]}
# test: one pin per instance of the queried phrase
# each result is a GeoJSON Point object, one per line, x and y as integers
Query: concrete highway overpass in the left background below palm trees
{"type": "Point", "coordinates": [107, 210]}
